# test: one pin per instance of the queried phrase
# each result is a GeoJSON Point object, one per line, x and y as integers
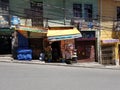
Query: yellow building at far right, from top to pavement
{"type": "Point", "coordinates": [109, 37]}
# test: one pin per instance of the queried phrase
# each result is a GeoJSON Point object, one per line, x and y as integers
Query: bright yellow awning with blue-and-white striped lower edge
{"type": "Point", "coordinates": [63, 34]}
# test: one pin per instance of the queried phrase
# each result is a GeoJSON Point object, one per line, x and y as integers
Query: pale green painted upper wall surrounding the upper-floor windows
{"type": "Point", "coordinates": [53, 9]}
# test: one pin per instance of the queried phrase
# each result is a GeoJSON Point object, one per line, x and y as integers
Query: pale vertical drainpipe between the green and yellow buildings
{"type": "Point", "coordinates": [99, 35]}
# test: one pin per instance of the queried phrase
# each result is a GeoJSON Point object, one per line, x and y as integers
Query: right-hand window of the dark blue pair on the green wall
{"type": "Point", "coordinates": [88, 11]}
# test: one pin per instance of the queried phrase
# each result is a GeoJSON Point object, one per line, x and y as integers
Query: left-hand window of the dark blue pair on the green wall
{"type": "Point", "coordinates": [77, 10]}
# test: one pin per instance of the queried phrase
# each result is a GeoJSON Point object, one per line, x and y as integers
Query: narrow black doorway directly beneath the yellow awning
{"type": "Point", "coordinates": [56, 51]}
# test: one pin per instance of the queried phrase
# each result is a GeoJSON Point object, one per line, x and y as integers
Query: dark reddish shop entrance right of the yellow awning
{"type": "Point", "coordinates": [86, 50]}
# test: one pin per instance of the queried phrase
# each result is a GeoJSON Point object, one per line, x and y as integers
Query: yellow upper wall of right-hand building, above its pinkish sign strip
{"type": "Point", "coordinates": [109, 13]}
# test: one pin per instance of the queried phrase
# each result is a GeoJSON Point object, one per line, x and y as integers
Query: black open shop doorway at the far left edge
{"type": "Point", "coordinates": [5, 44]}
